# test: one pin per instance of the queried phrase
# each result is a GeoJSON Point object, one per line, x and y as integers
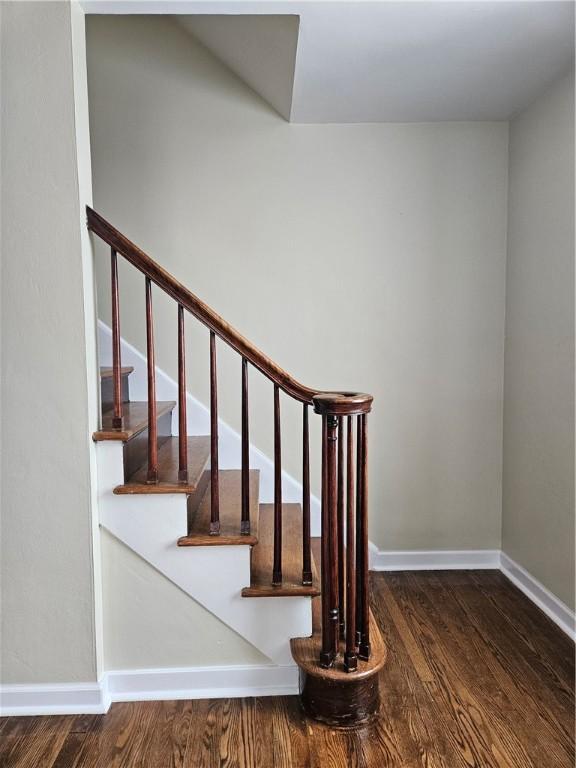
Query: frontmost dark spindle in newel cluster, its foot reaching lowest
{"type": "Point", "coordinates": [350, 658]}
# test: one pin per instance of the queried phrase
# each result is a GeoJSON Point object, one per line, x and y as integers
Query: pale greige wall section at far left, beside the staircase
{"type": "Point", "coordinates": [49, 600]}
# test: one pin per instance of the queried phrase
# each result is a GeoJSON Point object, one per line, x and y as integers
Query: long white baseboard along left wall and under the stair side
{"type": "Point", "coordinates": [148, 685]}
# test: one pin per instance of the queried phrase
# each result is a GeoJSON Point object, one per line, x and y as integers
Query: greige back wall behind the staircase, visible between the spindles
{"type": "Point", "coordinates": [366, 257]}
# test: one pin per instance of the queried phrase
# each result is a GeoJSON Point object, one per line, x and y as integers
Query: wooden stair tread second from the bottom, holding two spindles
{"type": "Point", "coordinates": [262, 557]}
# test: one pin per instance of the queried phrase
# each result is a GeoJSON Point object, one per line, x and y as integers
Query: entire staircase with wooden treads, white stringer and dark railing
{"type": "Point", "coordinates": [253, 565]}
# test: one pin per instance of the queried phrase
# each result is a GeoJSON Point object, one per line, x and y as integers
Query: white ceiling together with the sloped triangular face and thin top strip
{"type": "Point", "coordinates": [383, 61]}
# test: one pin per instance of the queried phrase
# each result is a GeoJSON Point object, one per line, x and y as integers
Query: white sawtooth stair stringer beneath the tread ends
{"type": "Point", "coordinates": [150, 524]}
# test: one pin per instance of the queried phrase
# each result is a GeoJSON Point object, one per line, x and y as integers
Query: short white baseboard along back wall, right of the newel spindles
{"type": "Point", "coordinates": [434, 560]}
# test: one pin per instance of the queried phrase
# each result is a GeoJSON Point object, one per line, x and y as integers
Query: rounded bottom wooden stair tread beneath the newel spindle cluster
{"type": "Point", "coordinates": [306, 653]}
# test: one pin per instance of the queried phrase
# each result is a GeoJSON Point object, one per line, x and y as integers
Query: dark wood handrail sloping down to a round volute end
{"type": "Point", "coordinates": [335, 402]}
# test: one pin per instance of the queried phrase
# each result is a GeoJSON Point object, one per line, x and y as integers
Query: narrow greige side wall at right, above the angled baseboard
{"type": "Point", "coordinates": [538, 483]}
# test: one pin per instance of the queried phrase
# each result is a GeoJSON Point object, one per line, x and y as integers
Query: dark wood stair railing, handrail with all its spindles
{"type": "Point", "coordinates": [344, 497]}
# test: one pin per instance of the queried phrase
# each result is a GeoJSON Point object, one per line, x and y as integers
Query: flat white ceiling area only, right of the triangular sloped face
{"type": "Point", "coordinates": [420, 61]}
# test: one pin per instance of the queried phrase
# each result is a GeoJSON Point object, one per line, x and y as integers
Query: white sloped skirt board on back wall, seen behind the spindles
{"type": "Point", "coordinates": [198, 422]}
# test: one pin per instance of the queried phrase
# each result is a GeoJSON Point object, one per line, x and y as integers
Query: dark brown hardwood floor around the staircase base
{"type": "Point", "coordinates": [476, 677]}
